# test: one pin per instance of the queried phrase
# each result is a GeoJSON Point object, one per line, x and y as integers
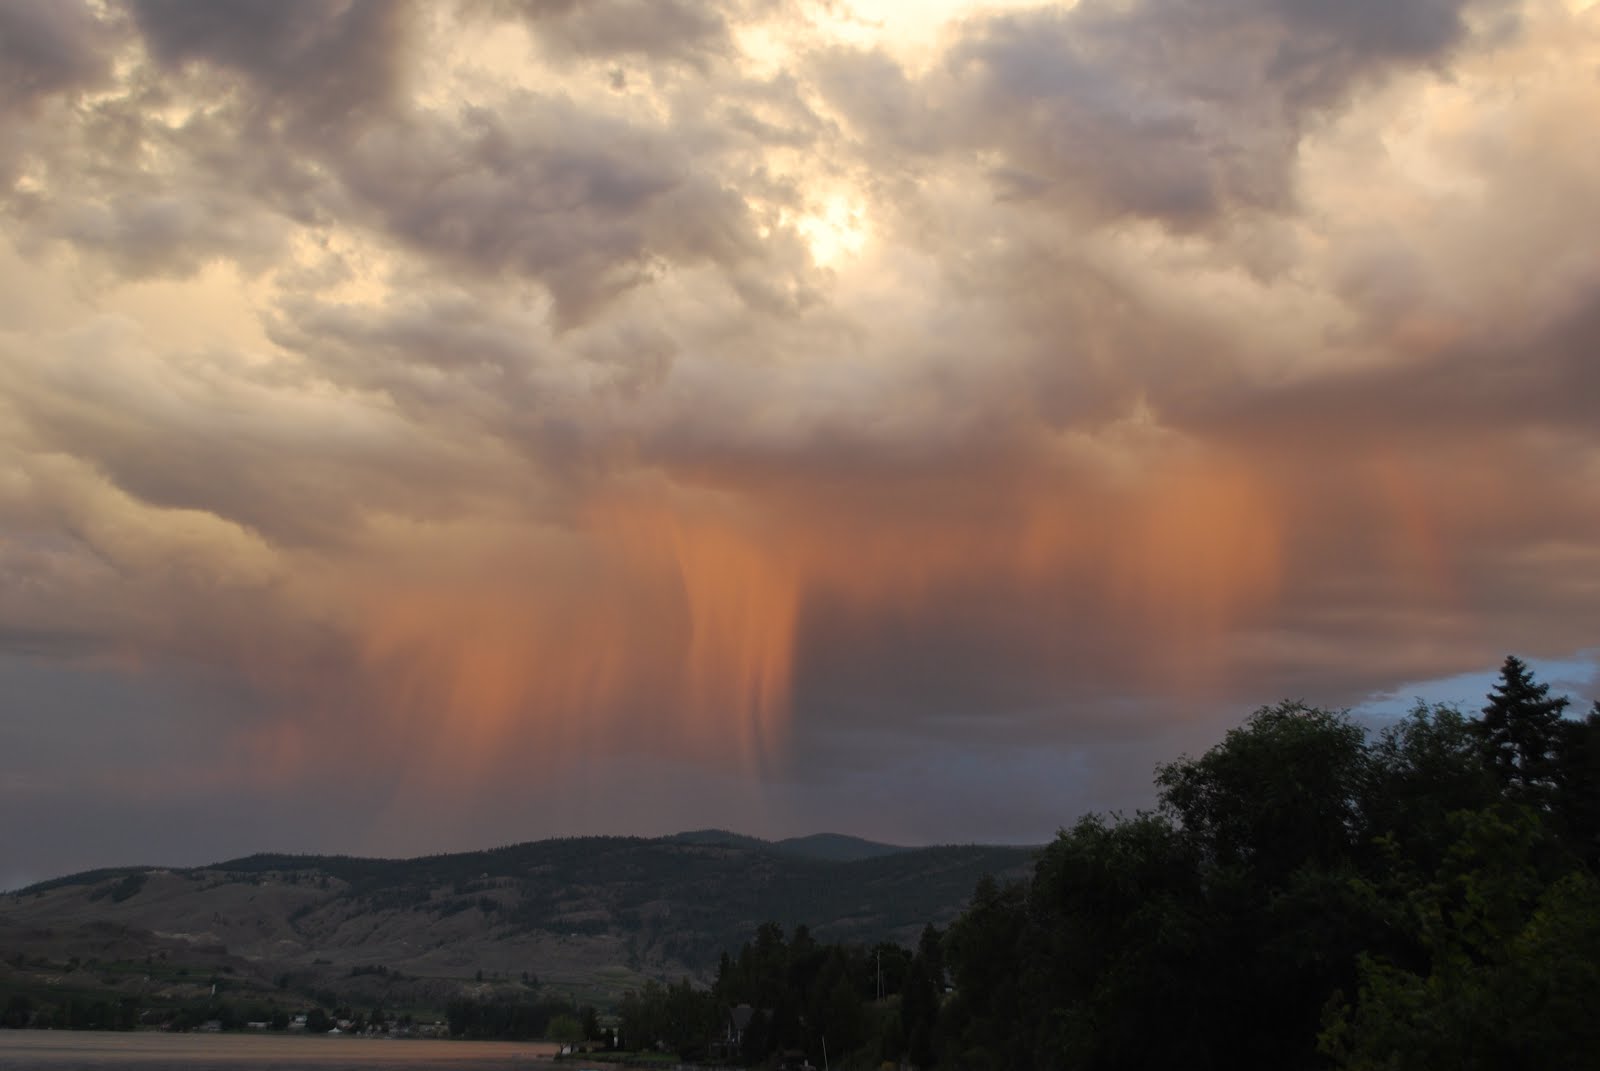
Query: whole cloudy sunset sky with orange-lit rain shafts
{"type": "Point", "coordinates": [430, 427]}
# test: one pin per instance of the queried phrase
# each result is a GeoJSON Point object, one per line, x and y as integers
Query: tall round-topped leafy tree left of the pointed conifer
{"type": "Point", "coordinates": [1276, 819]}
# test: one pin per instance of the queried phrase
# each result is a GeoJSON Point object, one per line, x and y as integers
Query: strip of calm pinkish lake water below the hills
{"type": "Point", "coordinates": [28, 1049]}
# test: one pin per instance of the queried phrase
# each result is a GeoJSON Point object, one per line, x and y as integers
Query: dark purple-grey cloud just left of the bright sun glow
{"type": "Point", "coordinates": [543, 191]}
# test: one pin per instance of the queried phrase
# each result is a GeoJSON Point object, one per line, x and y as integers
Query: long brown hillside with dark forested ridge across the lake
{"type": "Point", "coordinates": [593, 917]}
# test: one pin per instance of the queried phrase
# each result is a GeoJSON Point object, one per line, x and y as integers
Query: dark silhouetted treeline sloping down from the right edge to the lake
{"type": "Point", "coordinates": [1306, 896]}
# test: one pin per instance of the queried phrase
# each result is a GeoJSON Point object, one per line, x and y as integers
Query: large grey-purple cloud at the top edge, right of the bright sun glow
{"type": "Point", "coordinates": [1180, 113]}
